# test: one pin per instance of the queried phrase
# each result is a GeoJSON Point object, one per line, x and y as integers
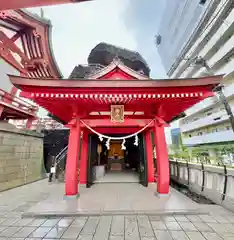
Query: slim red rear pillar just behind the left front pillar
{"type": "Point", "coordinates": [84, 158]}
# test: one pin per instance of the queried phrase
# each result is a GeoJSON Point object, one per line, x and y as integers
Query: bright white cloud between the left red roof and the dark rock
{"type": "Point", "coordinates": [77, 28]}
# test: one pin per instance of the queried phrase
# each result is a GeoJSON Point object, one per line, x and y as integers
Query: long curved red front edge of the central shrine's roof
{"type": "Point", "coordinates": [211, 81]}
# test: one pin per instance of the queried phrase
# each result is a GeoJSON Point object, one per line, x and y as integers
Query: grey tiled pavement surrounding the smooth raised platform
{"type": "Point", "coordinates": [218, 225]}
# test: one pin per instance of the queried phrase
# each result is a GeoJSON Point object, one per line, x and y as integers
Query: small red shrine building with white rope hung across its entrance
{"type": "Point", "coordinates": [116, 116]}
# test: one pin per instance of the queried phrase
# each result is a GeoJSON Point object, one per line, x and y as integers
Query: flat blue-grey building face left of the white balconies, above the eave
{"type": "Point", "coordinates": [178, 23]}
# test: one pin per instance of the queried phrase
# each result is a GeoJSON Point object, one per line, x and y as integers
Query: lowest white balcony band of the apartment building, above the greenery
{"type": "Point", "coordinates": [223, 136]}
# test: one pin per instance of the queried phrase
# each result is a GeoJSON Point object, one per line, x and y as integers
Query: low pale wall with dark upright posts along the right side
{"type": "Point", "coordinates": [214, 182]}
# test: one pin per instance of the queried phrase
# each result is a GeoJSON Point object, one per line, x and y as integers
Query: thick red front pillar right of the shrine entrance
{"type": "Point", "coordinates": [162, 158]}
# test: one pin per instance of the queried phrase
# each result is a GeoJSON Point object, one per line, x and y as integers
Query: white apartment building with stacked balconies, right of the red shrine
{"type": "Point", "coordinates": [212, 39]}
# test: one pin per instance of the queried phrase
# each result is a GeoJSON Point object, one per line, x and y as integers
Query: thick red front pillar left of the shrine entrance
{"type": "Point", "coordinates": [71, 176]}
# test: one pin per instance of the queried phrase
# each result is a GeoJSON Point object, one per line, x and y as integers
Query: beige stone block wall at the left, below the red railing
{"type": "Point", "coordinates": [21, 157]}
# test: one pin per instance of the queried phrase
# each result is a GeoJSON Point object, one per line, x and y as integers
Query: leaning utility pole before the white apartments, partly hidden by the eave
{"type": "Point", "coordinates": [200, 61]}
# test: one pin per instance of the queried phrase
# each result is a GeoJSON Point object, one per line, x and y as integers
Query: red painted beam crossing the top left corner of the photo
{"type": "Point", "coordinates": [16, 4]}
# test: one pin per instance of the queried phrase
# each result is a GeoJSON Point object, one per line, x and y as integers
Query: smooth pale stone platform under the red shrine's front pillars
{"type": "Point", "coordinates": [106, 198]}
